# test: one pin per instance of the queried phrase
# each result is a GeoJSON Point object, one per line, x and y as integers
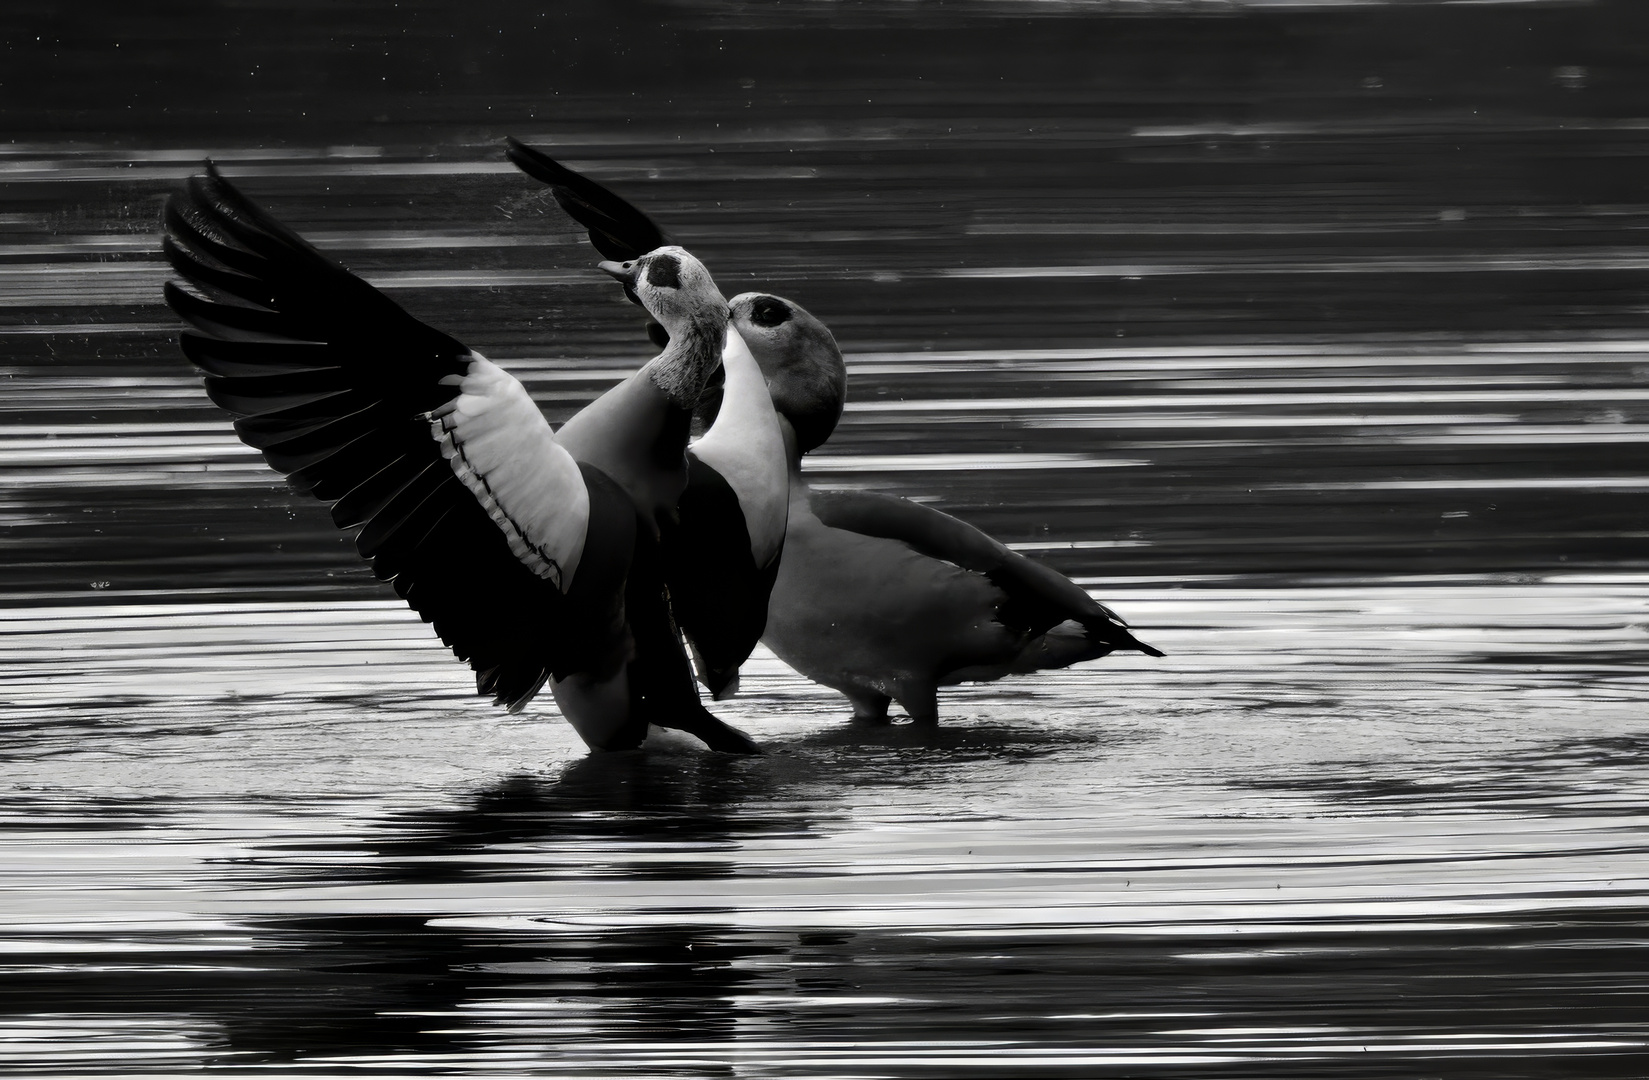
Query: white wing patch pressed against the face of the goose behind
{"type": "Point", "coordinates": [748, 449]}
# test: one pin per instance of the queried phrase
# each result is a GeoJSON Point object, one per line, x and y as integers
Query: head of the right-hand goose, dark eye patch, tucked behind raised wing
{"type": "Point", "coordinates": [804, 367]}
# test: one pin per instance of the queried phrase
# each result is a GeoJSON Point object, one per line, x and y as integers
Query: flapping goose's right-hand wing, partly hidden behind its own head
{"type": "Point", "coordinates": [723, 550]}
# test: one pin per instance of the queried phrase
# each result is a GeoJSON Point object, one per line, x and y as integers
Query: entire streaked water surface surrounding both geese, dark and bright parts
{"type": "Point", "coordinates": [1313, 340]}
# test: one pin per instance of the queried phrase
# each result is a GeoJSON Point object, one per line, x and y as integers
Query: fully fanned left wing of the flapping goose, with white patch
{"type": "Point", "coordinates": [436, 458]}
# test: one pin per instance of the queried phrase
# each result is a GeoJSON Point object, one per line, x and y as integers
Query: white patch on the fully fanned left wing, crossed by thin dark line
{"type": "Point", "coordinates": [507, 456]}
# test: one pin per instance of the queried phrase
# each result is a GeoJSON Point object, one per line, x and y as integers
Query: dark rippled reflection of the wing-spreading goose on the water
{"type": "Point", "coordinates": [359, 988]}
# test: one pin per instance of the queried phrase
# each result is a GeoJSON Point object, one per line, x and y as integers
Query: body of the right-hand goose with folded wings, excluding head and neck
{"type": "Point", "coordinates": [885, 601]}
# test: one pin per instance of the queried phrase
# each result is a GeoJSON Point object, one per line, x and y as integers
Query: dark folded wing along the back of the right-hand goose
{"type": "Point", "coordinates": [1038, 598]}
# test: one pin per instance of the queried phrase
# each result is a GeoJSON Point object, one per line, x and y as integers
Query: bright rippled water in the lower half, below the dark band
{"type": "Point", "coordinates": [1379, 830]}
